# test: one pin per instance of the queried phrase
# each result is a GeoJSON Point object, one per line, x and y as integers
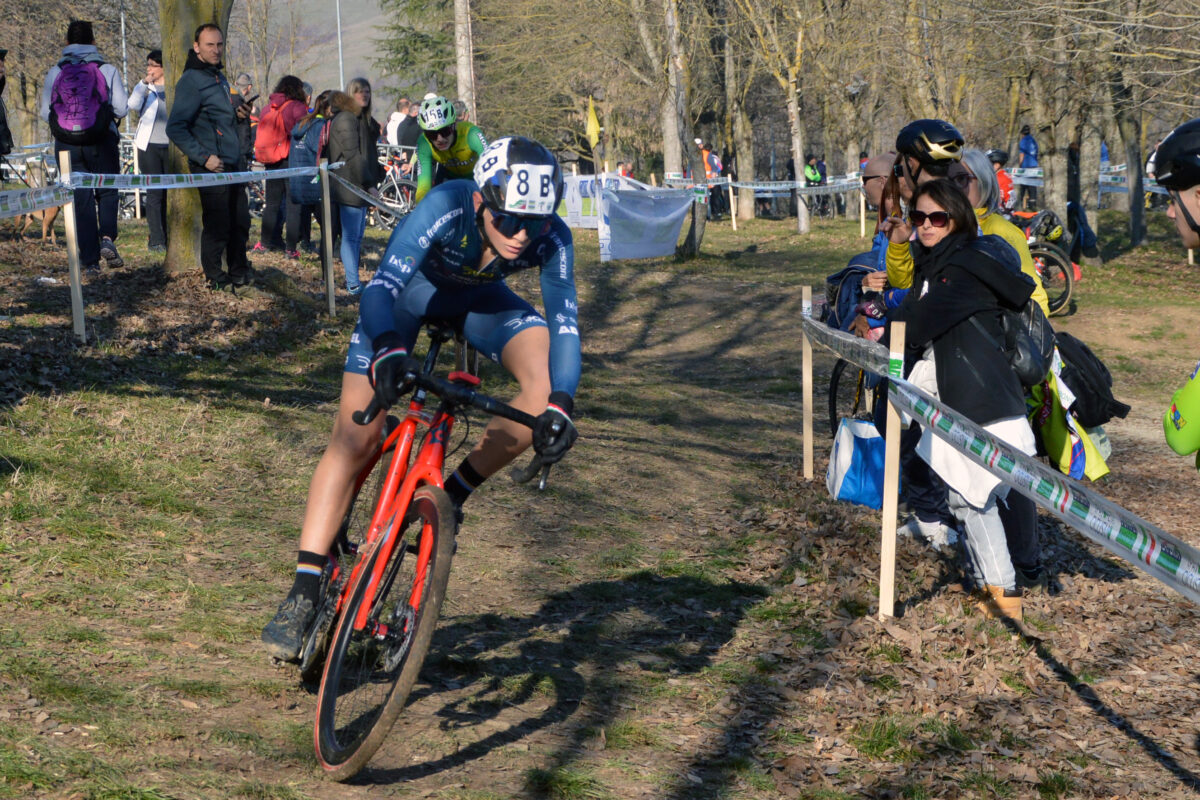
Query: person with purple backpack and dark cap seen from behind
{"type": "Point", "coordinates": [95, 212]}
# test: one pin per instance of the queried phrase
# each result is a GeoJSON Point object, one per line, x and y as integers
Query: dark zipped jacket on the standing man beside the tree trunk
{"type": "Point", "coordinates": [202, 119]}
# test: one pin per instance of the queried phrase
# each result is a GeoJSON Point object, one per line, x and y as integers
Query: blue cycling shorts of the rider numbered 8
{"type": "Point", "coordinates": [495, 315]}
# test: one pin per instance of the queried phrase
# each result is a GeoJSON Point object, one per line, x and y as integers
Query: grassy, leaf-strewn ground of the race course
{"type": "Point", "coordinates": [675, 617]}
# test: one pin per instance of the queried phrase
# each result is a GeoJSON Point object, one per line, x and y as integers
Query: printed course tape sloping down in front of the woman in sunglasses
{"type": "Point", "coordinates": [1153, 550]}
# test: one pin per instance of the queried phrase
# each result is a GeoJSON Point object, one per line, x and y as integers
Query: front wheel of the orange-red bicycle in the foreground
{"type": "Point", "coordinates": [370, 672]}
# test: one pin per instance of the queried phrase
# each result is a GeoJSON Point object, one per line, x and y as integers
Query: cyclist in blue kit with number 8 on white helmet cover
{"type": "Point", "coordinates": [449, 258]}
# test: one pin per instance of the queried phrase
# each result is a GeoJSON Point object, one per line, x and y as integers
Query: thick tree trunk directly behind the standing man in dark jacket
{"type": "Point", "coordinates": [179, 21]}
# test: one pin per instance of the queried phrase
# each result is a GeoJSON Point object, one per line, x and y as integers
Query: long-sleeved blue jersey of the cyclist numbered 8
{"type": "Point", "coordinates": [442, 242]}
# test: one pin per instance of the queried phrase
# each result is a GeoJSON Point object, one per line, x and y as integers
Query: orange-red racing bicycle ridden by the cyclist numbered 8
{"type": "Point", "coordinates": [387, 578]}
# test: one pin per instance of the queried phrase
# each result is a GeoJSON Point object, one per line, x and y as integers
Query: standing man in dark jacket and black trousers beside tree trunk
{"type": "Point", "coordinates": [205, 127]}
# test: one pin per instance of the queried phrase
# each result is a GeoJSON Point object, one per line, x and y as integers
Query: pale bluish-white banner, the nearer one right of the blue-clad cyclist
{"type": "Point", "coordinates": [643, 224]}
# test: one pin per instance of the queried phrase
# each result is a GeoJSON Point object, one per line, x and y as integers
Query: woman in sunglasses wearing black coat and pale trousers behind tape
{"type": "Point", "coordinates": [953, 311]}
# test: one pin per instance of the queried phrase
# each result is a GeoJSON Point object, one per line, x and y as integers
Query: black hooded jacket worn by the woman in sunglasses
{"type": "Point", "coordinates": [956, 280]}
